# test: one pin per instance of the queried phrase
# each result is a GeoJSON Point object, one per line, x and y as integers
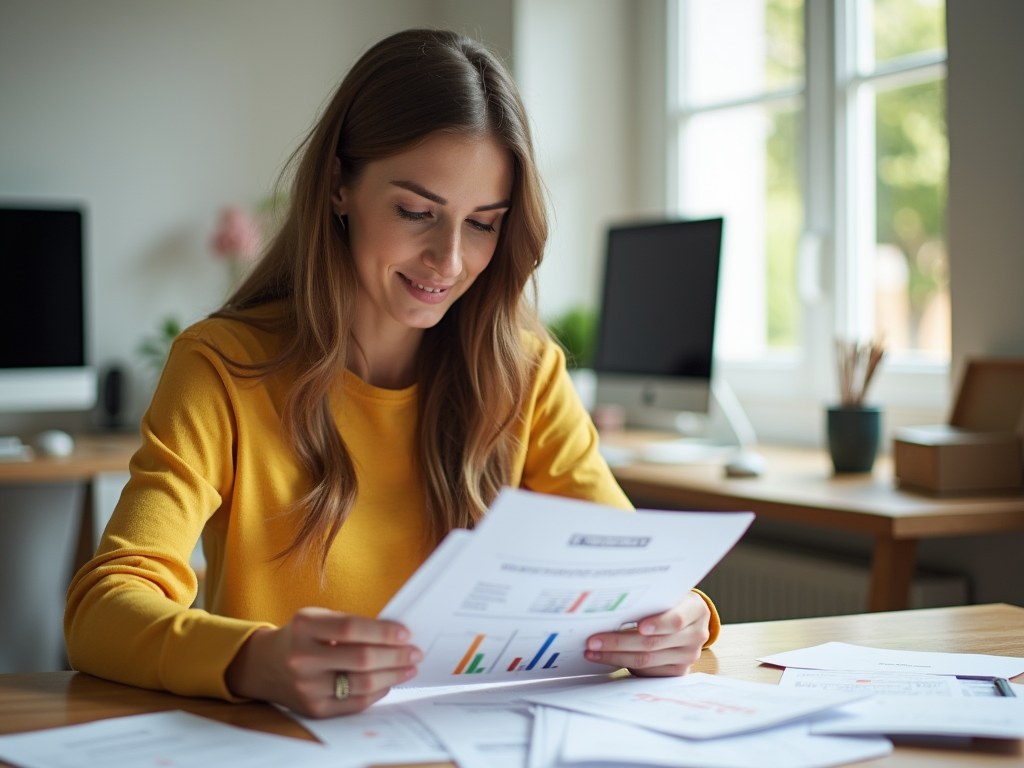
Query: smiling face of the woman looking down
{"type": "Point", "coordinates": [422, 226]}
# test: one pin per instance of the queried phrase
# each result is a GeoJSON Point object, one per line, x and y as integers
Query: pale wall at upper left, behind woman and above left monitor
{"type": "Point", "coordinates": [156, 115]}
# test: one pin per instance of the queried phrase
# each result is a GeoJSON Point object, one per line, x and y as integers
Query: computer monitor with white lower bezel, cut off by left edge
{"type": "Point", "coordinates": [42, 312]}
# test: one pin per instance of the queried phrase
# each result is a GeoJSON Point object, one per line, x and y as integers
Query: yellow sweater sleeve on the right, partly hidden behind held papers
{"type": "Point", "coordinates": [564, 457]}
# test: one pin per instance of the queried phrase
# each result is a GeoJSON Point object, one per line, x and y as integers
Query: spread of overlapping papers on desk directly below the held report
{"type": "Point", "coordinates": [549, 724]}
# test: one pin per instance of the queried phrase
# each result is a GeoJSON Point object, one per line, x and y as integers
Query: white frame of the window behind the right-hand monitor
{"type": "Point", "coordinates": [786, 394]}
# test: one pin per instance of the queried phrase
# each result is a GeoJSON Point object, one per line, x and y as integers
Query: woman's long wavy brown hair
{"type": "Point", "coordinates": [405, 89]}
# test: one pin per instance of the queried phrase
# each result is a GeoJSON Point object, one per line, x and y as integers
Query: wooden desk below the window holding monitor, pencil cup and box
{"type": "Point", "coordinates": [799, 487]}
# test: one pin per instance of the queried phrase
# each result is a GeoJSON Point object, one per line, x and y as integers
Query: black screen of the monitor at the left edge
{"type": "Point", "coordinates": [41, 296]}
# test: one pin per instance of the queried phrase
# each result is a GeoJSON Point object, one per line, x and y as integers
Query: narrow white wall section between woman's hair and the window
{"type": "Point", "coordinates": [576, 68]}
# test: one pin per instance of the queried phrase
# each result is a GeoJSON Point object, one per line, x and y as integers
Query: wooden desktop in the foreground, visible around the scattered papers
{"type": "Point", "coordinates": [52, 700]}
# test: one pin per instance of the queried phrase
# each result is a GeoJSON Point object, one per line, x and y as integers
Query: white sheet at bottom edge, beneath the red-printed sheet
{"type": "Point", "coordinates": [592, 740]}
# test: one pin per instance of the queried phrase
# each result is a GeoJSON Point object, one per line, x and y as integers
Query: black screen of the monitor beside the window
{"type": "Point", "coordinates": [661, 292]}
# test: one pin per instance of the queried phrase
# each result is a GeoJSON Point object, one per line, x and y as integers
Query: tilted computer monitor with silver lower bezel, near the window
{"type": "Point", "coordinates": [657, 328]}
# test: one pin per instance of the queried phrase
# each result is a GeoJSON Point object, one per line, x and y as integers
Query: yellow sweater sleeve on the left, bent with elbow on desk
{"type": "Point", "coordinates": [129, 616]}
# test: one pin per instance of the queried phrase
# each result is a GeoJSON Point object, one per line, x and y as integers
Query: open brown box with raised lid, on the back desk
{"type": "Point", "coordinates": [982, 449]}
